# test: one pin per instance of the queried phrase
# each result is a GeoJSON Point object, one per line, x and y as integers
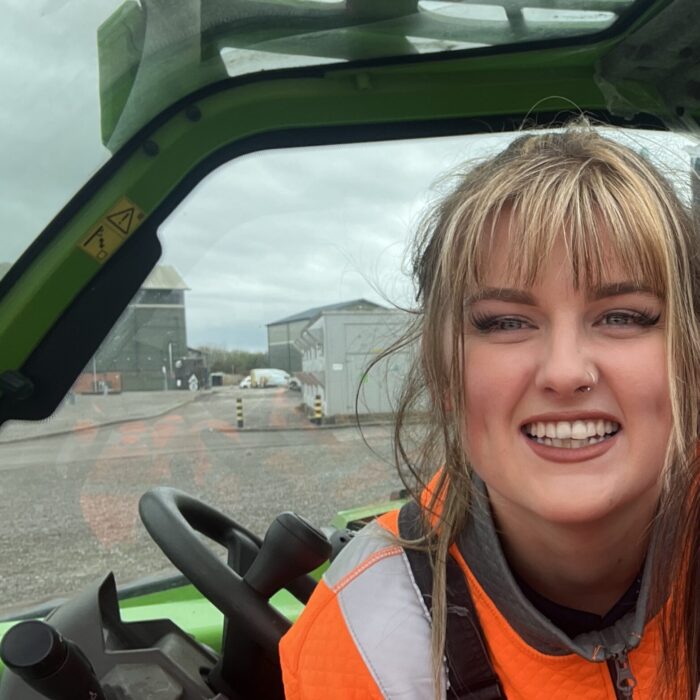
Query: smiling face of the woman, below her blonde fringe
{"type": "Point", "coordinates": [530, 356]}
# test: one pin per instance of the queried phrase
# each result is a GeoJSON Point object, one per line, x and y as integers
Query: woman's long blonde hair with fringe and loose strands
{"type": "Point", "coordinates": [593, 194]}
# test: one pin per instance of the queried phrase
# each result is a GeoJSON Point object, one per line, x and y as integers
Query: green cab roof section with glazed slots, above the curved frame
{"type": "Point", "coordinates": [201, 43]}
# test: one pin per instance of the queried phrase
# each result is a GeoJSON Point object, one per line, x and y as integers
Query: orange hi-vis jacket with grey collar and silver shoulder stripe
{"type": "Point", "coordinates": [365, 632]}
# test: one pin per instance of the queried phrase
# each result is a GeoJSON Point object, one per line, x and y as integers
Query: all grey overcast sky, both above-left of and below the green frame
{"type": "Point", "coordinates": [264, 237]}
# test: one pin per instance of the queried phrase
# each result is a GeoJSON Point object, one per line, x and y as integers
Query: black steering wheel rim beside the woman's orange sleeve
{"type": "Point", "coordinates": [172, 518]}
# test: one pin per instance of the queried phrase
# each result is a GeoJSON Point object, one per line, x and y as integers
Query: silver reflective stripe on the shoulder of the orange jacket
{"type": "Point", "coordinates": [385, 614]}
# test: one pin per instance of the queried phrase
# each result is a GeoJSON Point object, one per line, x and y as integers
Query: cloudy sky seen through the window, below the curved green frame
{"type": "Point", "coordinates": [275, 233]}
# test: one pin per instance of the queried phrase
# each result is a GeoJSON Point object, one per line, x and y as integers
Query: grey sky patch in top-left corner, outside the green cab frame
{"type": "Point", "coordinates": [49, 117]}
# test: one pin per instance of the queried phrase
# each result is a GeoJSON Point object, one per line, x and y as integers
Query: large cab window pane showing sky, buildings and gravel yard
{"type": "Point", "coordinates": [233, 373]}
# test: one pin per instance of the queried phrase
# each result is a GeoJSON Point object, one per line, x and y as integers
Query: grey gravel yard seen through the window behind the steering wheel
{"type": "Point", "coordinates": [69, 486]}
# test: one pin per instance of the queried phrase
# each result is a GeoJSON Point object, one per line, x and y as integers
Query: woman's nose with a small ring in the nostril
{"type": "Point", "coordinates": [566, 365]}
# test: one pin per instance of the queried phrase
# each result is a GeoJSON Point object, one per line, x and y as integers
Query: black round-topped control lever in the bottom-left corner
{"type": "Point", "coordinates": [50, 664]}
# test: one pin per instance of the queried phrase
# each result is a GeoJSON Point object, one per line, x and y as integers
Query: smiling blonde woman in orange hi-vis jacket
{"type": "Point", "coordinates": [558, 356]}
